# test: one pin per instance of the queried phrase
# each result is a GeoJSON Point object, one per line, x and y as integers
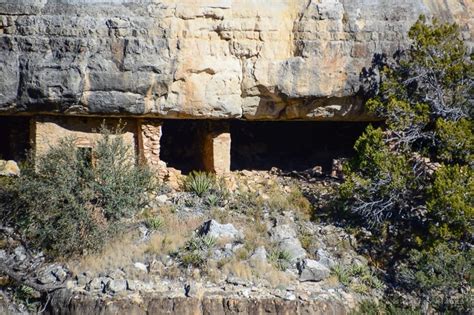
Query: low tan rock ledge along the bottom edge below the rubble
{"type": "Point", "coordinates": [64, 303]}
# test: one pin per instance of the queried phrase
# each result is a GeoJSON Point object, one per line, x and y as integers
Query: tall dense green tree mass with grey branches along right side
{"type": "Point", "coordinates": [411, 182]}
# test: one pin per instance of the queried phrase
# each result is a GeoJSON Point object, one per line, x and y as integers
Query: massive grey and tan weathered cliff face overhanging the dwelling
{"type": "Point", "coordinates": [285, 59]}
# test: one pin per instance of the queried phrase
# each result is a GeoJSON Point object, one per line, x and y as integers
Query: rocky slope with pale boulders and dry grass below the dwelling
{"type": "Point", "coordinates": [258, 253]}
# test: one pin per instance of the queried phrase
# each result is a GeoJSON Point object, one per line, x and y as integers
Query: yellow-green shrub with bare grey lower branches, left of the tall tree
{"type": "Point", "coordinates": [380, 183]}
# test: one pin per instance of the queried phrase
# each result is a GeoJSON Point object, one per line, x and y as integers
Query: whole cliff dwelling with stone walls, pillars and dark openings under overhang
{"type": "Point", "coordinates": [216, 146]}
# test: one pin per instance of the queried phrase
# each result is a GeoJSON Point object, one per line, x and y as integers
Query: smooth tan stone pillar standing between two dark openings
{"type": "Point", "coordinates": [216, 148]}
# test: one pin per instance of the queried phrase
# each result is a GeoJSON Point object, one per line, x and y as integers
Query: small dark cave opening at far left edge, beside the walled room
{"type": "Point", "coordinates": [14, 138]}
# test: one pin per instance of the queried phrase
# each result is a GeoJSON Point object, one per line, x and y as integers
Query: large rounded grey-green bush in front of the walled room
{"type": "Point", "coordinates": [72, 200]}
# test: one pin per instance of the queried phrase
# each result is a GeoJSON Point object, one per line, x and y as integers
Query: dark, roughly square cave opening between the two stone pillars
{"type": "Point", "coordinates": [181, 144]}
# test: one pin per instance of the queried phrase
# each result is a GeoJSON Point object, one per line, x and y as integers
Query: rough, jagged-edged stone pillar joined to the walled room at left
{"type": "Point", "coordinates": [149, 142]}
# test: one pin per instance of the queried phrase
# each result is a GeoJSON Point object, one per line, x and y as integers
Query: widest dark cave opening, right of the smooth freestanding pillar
{"type": "Point", "coordinates": [291, 145]}
